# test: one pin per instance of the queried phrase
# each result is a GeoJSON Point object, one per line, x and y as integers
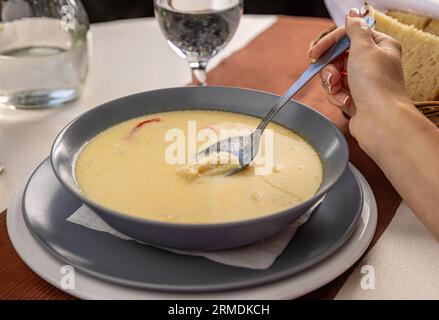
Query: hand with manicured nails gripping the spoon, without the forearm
{"type": "Point", "coordinates": [374, 88]}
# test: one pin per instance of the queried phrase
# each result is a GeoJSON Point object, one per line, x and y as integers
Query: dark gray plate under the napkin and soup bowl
{"type": "Point", "coordinates": [46, 206]}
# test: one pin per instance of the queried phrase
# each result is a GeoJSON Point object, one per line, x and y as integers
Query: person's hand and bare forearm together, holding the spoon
{"type": "Point", "coordinates": [384, 121]}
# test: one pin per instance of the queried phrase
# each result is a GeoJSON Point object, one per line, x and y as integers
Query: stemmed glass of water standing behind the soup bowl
{"type": "Point", "coordinates": [198, 29]}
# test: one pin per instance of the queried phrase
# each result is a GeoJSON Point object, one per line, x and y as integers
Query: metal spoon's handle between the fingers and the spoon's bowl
{"type": "Point", "coordinates": [334, 52]}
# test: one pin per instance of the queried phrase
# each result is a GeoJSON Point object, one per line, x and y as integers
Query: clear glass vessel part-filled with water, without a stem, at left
{"type": "Point", "coordinates": [43, 52]}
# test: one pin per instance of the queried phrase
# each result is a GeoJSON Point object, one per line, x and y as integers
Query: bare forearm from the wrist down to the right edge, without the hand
{"type": "Point", "coordinates": [408, 153]}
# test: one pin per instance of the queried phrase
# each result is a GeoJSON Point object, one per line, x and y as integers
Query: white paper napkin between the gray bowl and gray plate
{"type": "Point", "coordinates": [260, 255]}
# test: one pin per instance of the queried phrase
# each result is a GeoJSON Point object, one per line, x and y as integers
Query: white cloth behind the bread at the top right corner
{"type": "Point", "coordinates": [338, 8]}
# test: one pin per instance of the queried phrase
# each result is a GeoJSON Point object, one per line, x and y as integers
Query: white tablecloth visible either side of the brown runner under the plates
{"type": "Point", "coordinates": [132, 56]}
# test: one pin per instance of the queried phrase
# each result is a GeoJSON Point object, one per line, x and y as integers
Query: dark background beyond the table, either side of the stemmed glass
{"type": "Point", "coordinates": [99, 10]}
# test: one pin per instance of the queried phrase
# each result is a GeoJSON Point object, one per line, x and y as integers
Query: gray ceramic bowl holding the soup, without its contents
{"type": "Point", "coordinates": [313, 126]}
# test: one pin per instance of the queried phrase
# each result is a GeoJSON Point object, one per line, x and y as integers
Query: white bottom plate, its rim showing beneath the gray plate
{"type": "Point", "coordinates": [87, 287]}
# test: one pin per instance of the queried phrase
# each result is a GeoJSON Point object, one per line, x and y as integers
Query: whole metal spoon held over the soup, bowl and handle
{"type": "Point", "coordinates": [246, 147]}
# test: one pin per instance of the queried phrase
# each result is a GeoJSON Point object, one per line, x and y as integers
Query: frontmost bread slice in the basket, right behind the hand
{"type": "Point", "coordinates": [420, 56]}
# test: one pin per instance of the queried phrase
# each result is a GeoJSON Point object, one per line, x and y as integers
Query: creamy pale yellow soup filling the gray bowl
{"type": "Point", "coordinates": [145, 167]}
